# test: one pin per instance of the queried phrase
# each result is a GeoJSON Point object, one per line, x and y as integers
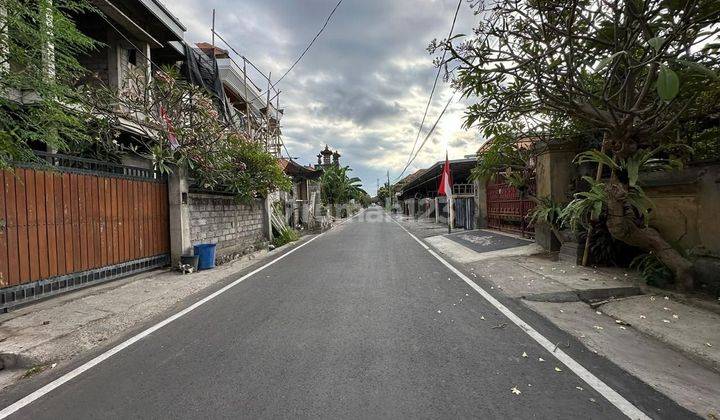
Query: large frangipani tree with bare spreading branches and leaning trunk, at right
{"type": "Point", "coordinates": [627, 68]}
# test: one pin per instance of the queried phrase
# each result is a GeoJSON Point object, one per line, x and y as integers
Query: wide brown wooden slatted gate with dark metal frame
{"type": "Point", "coordinates": [64, 227]}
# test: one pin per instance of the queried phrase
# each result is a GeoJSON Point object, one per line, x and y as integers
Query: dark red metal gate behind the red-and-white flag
{"type": "Point", "coordinates": [508, 209]}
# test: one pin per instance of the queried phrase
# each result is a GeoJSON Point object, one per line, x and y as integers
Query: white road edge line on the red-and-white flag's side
{"type": "Point", "coordinates": [625, 406]}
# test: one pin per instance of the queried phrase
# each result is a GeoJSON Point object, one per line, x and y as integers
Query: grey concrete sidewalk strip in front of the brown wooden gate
{"type": "Point", "coordinates": [50, 332]}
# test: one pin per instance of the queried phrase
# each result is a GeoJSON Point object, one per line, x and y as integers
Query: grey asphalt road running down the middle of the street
{"type": "Point", "coordinates": [360, 323]}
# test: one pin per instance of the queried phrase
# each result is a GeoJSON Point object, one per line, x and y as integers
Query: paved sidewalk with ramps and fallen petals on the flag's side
{"type": "Point", "coordinates": [669, 341]}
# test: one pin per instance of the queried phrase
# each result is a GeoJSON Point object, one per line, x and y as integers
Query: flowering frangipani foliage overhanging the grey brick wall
{"type": "Point", "coordinates": [178, 124]}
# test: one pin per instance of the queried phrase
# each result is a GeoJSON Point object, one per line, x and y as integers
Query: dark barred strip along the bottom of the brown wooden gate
{"type": "Point", "coordinates": [25, 293]}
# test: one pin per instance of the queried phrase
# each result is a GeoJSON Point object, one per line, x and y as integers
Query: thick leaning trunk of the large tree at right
{"type": "Point", "coordinates": [623, 227]}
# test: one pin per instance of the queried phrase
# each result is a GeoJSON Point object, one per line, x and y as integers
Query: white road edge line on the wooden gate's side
{"type": "Point", "coordinates": [12, 408]}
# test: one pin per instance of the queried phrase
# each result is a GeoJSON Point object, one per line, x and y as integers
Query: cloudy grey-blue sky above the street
{"type": "Point", "coordinates": [363, 86]}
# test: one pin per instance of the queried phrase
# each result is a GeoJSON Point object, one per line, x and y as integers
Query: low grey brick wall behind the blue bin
{"type": "Point", "coordinates": [235, 227]}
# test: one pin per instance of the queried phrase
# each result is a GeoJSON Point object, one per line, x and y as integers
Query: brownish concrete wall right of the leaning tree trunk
{"type": "Point", "coordinates": [687, 206]}
